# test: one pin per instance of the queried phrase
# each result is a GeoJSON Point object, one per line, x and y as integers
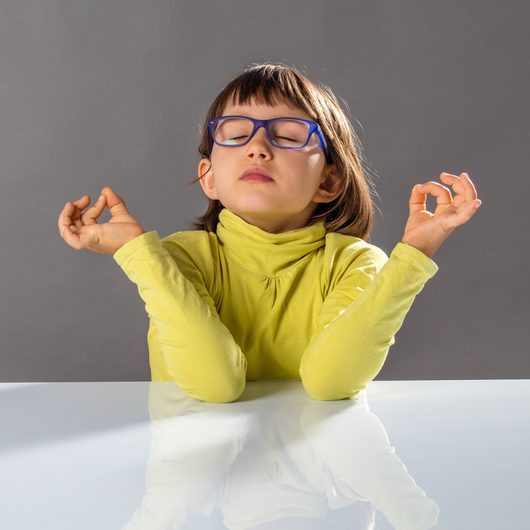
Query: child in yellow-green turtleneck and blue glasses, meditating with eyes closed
{"type": "Point", "coordinates": [277, 280]}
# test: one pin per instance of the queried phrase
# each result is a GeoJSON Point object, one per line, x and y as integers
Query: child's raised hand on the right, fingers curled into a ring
{"type": "Point", "coordinates": [427, 231]}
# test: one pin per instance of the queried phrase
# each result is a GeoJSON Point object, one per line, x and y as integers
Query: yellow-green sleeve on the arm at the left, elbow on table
{"type": "Point", "coordinates": [201, 355]}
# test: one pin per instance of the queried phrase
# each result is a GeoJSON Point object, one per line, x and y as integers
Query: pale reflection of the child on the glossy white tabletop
{"type": "Point", "coordinates": [275, 461]}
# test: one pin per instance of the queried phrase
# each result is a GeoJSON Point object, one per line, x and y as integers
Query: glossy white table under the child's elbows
{"type": "Point", "coordinates": [139, 455]}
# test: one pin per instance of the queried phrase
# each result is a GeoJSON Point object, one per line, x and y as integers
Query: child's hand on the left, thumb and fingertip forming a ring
{"type": "Point", "coordinates": [80, 229]}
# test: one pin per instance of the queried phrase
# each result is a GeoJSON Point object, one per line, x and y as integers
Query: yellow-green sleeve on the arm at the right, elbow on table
{"type": "Point", "coordinates": [359, 319]}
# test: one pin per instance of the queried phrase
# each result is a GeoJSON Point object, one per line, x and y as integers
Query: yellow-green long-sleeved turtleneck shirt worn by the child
{"type": "Point", "coordinates": [245, 304]}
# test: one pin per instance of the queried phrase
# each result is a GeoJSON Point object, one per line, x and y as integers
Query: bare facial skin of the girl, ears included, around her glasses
{"type": "Point", "coordinates": [301, 178]}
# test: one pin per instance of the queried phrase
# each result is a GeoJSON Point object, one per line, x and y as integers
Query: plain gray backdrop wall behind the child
{"type": "Point", "coordinates": [113, 93]}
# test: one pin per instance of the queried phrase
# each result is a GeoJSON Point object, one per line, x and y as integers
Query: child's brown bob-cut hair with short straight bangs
{"type": "Point", "coordinates": [350, 213]}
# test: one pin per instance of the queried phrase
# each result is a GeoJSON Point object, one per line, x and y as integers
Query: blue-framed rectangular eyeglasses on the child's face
{"type": "Point", "coordinates": [285, 133]}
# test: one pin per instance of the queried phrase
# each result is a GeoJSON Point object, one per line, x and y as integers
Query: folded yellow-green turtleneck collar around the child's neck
{"type": "Point", "coordinates": [265, 253]}
